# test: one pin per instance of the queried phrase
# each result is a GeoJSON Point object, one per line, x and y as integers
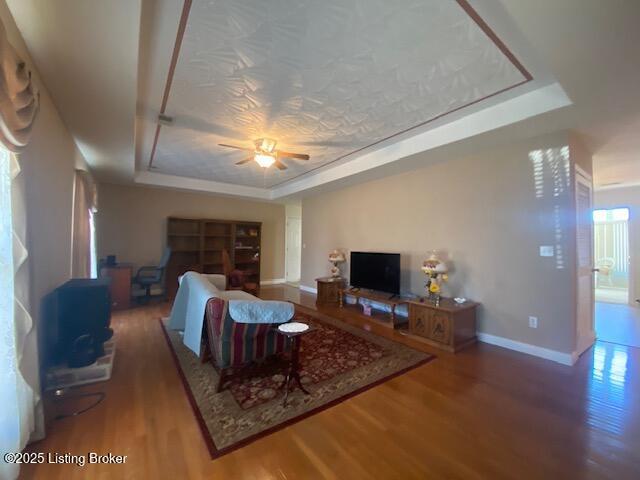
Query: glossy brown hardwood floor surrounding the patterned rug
{"type": "Point", "coordinates": [485, 412]}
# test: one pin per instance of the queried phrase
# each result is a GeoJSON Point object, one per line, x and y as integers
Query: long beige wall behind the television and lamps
{"type": "Point", "coordinates": [491, 211]}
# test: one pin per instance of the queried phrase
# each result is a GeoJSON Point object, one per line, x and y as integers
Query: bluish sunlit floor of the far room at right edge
{"type": "Point", "coordinates": [618, 323]}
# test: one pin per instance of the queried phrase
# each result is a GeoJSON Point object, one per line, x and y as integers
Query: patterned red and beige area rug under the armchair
{"type": "Point", "coordinates": [337, 361]}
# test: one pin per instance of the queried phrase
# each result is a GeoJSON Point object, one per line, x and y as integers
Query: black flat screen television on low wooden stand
{"type": "Point", "coordinates": [375, 271]}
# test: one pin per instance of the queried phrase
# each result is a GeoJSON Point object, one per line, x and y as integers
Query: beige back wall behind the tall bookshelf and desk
{"type": "Point", "coordinates": [132, 222]}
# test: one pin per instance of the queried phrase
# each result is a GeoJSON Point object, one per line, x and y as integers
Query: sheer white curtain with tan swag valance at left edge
{"type": "Point", "coordinates": [20, 407]}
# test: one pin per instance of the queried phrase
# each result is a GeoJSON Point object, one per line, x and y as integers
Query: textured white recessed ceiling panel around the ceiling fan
{"type": "Point", "coordinates": [322, 77]}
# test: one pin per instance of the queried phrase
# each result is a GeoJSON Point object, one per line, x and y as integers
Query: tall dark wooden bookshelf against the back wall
{"type": "Point", "coordinates": [197, 244]}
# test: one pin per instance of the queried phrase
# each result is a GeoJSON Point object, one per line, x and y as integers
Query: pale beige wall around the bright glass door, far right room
{"type": "Point", "coordinates": [626, 197]}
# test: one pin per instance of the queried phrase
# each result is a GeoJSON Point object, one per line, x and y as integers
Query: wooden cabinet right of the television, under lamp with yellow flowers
{"type": "Point", "coordinates": [448, 326]}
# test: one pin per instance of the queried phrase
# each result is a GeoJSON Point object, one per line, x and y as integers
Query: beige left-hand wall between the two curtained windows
{"type": "Point", "coordinates": [48, 165]}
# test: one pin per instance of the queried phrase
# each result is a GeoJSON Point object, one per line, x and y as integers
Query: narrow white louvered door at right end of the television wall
{"type": "Point", "coordinates": [585, 335]}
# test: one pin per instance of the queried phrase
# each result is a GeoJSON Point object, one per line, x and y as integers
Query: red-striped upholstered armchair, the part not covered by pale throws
{"type": "Point", "coordinates": [230, 344]}
